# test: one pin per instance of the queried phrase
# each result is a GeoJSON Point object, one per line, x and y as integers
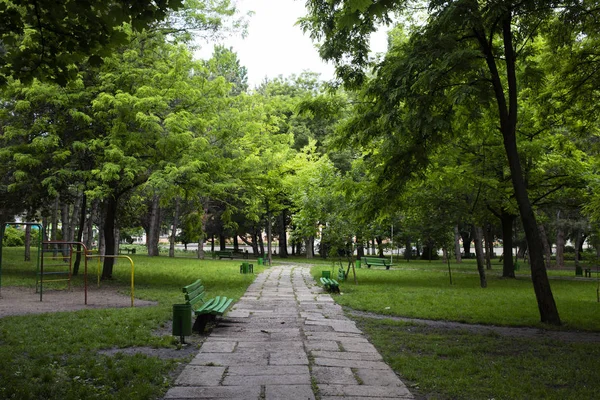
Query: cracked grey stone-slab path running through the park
{"type": "Point", "coordinates": [287, 339]}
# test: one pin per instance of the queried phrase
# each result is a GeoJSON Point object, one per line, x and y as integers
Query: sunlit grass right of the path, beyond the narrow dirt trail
{"type": "Point", "coordinates": [423, 290]}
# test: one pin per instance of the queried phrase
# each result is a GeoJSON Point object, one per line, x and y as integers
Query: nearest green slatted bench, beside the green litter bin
{"type": "Point", "coordinates": [205, 310]}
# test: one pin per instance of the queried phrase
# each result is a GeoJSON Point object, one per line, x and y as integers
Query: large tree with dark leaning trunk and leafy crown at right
{"type": "Point", "coordinates": [466, 52]}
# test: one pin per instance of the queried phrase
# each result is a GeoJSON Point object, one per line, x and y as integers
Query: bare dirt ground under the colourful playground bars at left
{"type": "Point", "coordinates": [24, 300]}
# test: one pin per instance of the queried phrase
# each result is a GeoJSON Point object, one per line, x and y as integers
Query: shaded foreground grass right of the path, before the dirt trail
{"type": "Point", "coordinates": [455, 364]}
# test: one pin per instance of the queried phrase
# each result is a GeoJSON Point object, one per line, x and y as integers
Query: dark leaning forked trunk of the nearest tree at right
{"type": "Point", "coordinates": [508, 127]}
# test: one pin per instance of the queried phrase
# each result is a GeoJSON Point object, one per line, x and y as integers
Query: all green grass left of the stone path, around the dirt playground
{"type": "Point", "coordinates": [55, 356]}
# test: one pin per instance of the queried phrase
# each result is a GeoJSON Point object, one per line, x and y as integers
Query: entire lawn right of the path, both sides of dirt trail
{"type": "Point", "coordinates": [450, 363]}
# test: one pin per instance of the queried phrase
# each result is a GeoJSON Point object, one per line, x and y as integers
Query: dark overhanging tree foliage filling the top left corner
{"type": "Point", "coordinates": [45, 39]}
